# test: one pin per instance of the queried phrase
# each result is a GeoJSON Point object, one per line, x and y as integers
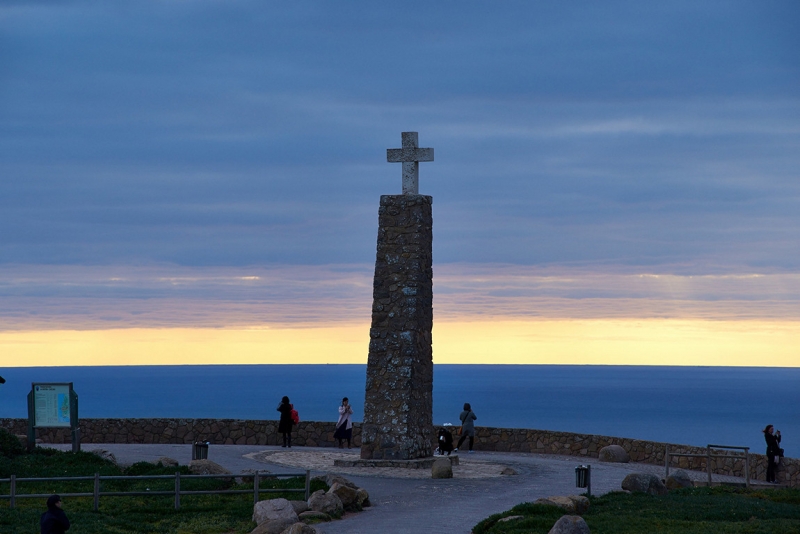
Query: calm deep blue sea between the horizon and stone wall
{"type": "Point", "coordinates": [689, 405]}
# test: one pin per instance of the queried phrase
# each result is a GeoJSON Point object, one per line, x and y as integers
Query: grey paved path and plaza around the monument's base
{"type": "Point", "coordinates": [402, 504]}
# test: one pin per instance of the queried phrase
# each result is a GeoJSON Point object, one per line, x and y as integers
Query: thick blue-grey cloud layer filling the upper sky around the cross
{"type": "Point", "coordinates": [214, 134]}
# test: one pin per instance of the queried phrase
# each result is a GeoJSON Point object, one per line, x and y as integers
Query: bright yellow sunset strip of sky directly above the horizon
{"type": "Point", "coordinates": [502, 341]}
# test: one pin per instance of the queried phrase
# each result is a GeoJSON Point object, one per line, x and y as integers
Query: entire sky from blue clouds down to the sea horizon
{"type": "Point", "coordinates": [198, 181]}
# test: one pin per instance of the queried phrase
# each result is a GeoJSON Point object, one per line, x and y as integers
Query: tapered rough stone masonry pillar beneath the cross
{"type": "Point", "coordinates": [398, 408]}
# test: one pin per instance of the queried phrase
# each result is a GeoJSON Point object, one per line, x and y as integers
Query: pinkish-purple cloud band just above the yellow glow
{"type": "Point", "coordinates": [103, 297]}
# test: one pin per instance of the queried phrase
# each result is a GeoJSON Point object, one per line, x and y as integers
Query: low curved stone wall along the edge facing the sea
{"type": "Point", "coordinates": [320, 434]}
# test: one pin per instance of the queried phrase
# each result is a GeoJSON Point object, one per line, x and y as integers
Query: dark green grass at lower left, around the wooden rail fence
{"type": "Point", "coordinates": [199, 514]}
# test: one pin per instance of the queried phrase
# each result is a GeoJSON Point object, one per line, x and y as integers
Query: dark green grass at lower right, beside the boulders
{"type": "Point", "coordinates": [718, 510]}
